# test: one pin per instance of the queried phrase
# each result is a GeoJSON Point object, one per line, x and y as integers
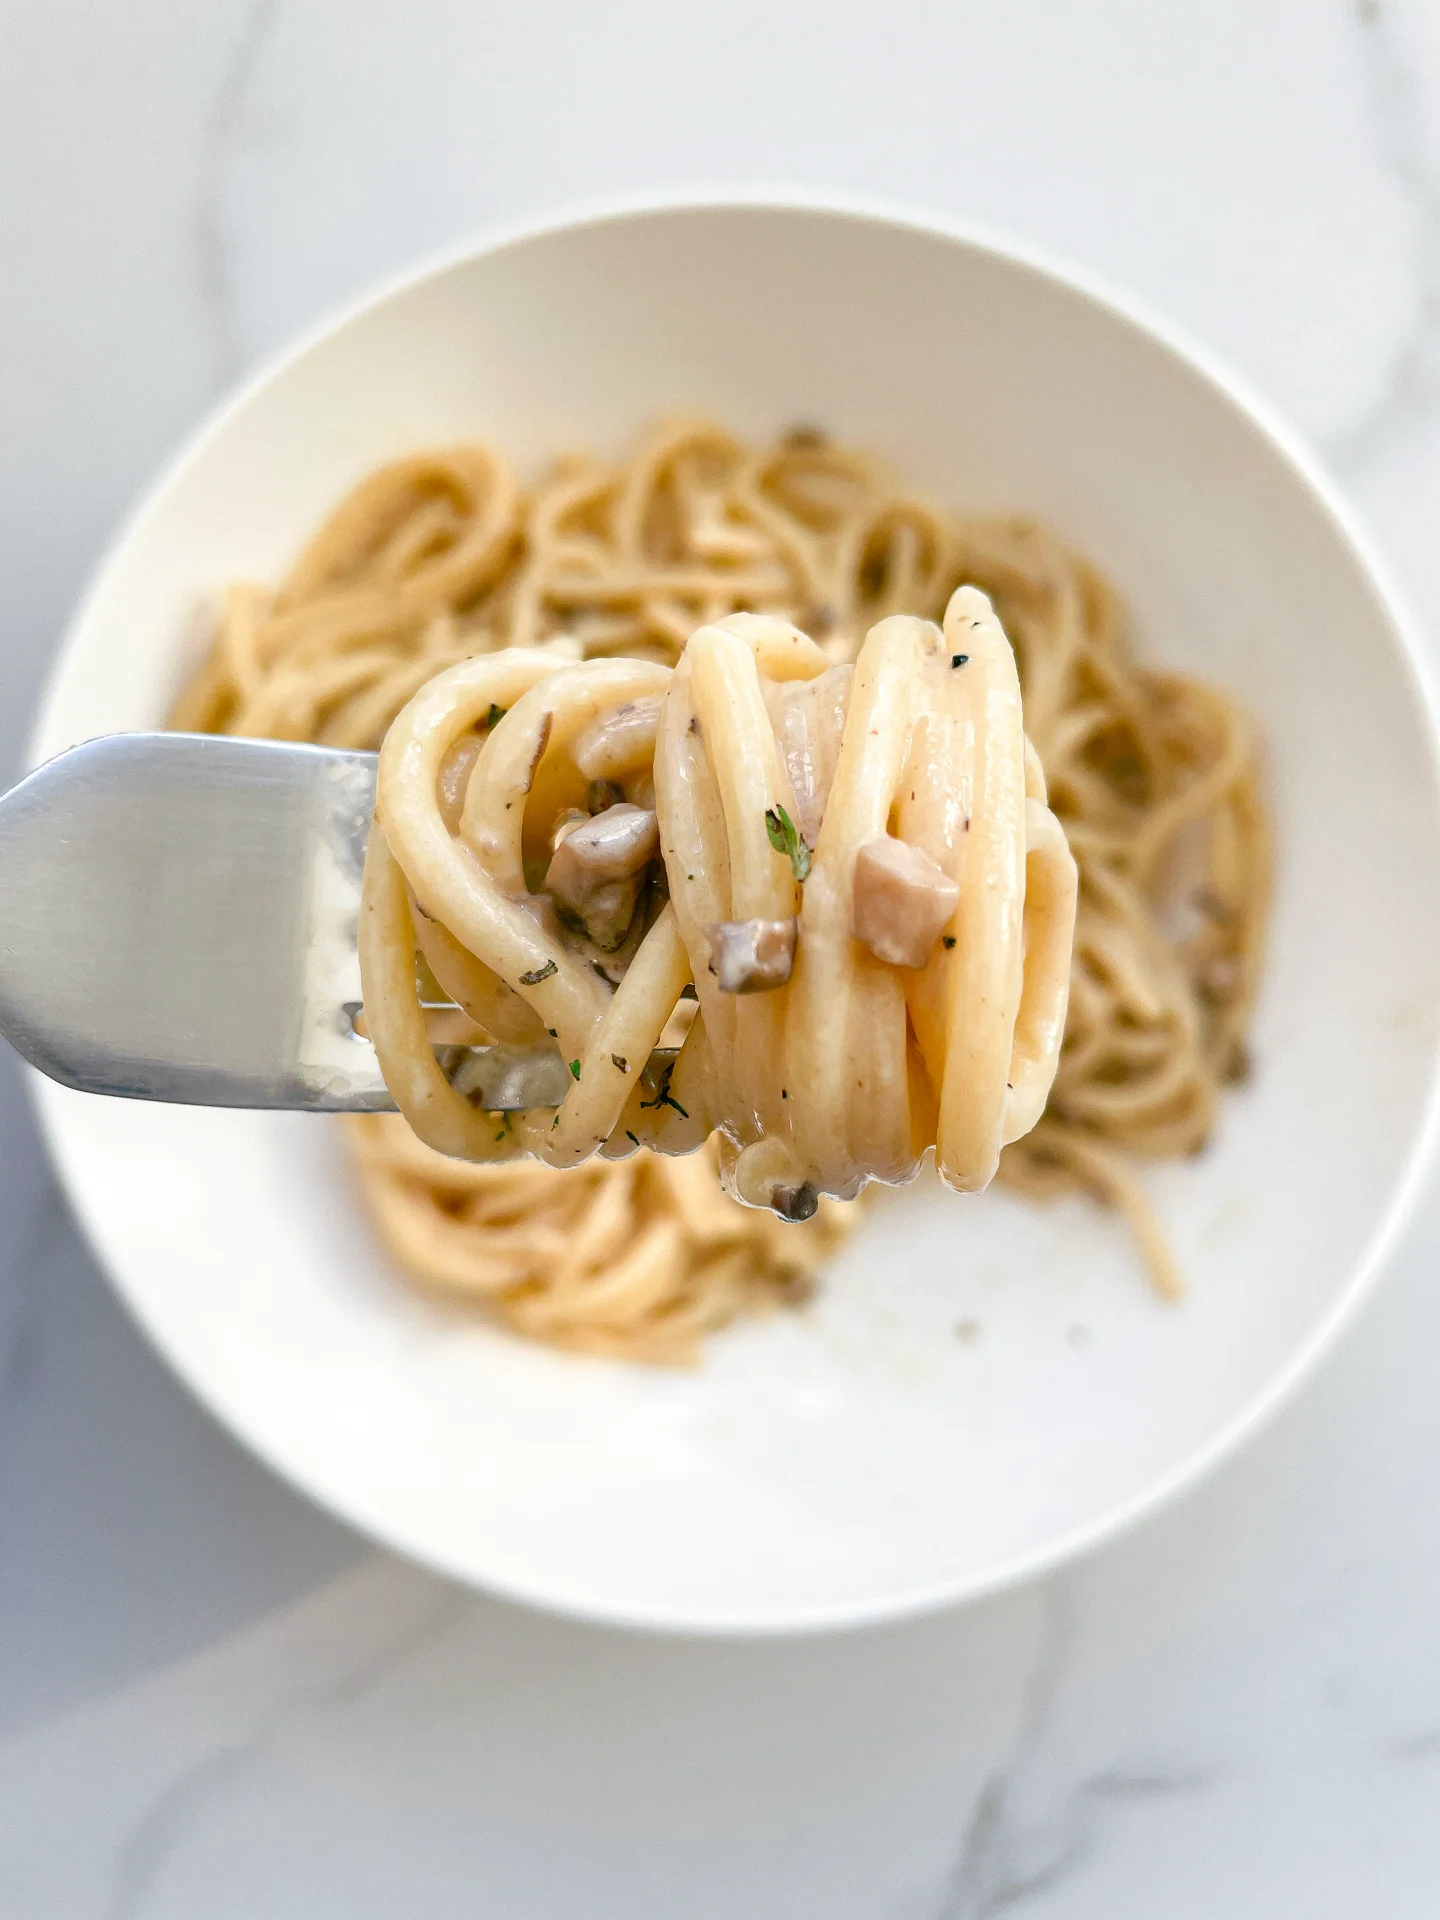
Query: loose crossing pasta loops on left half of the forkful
{"type": "Point", "coordinates": [500, 946]}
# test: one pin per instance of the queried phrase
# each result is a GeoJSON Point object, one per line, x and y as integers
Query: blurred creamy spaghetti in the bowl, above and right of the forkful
{"type": "Point", "coordinates": [439, 558]}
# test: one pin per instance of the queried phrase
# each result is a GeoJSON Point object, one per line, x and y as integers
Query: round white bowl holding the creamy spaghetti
{"type": "Point", "coordinates": [859, 1460]}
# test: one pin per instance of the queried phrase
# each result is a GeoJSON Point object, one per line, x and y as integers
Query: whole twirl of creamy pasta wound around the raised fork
{"type": "Point", "coordinates": [853, 871]}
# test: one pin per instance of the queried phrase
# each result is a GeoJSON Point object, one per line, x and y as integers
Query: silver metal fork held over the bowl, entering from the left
{"type": "Point", "coordinates": [178, 923]}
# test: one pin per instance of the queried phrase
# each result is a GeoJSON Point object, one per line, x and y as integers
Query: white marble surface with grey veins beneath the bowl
{"type": "Point", "coordinates": [216, 1702]}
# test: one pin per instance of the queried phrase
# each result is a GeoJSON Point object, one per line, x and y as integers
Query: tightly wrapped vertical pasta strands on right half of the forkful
{"type": "Point", "coordinates": [938, 886]}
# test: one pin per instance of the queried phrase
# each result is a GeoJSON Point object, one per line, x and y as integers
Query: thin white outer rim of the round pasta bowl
{"type": "Point", "coordinates": [1305, 468]}
